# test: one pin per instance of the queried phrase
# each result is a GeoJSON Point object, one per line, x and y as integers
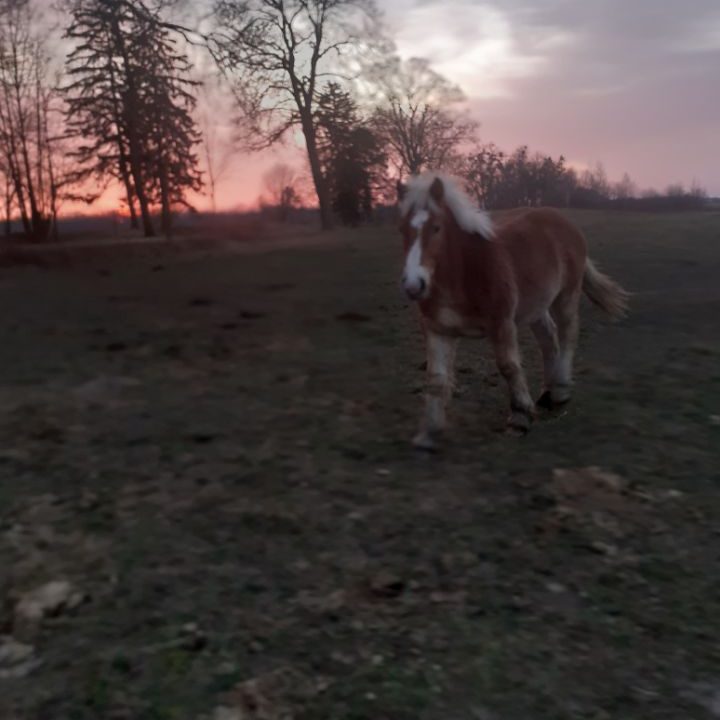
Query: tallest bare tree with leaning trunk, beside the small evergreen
{"type": "Point", "coordinates": [277, 52]}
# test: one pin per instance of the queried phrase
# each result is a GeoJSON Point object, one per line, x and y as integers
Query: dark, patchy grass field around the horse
{"type": "Point", "coordinates": [215, 455]}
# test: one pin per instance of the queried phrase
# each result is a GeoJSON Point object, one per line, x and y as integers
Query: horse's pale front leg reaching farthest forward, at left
{"type": "Point", "coordinates": [440, 370]}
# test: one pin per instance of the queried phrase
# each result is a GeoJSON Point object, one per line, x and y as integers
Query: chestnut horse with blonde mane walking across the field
{"type": "Point", "coordinates": [473, 276]}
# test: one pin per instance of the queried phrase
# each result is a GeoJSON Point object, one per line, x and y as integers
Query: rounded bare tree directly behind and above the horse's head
{"type": "Point", "coordinates": [417, 117]}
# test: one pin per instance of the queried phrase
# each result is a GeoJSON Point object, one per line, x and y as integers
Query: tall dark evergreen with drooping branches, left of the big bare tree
{"type": "Point", "coordinates": [129, 100]}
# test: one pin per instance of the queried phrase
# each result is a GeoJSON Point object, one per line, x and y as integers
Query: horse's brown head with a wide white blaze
{"type": "Point", "coordinates": [423, 228]}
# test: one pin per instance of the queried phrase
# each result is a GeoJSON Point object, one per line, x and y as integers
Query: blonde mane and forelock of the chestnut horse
{"type": "Point", "coordinates": [470, 218]}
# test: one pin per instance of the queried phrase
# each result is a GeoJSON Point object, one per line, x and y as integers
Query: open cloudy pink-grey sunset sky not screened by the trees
{"type": "Point", "coordinates": [630, 83]}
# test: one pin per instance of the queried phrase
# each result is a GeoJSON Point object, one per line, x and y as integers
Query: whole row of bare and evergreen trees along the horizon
{"type": "Point", "coordinates": [113, 100]}
